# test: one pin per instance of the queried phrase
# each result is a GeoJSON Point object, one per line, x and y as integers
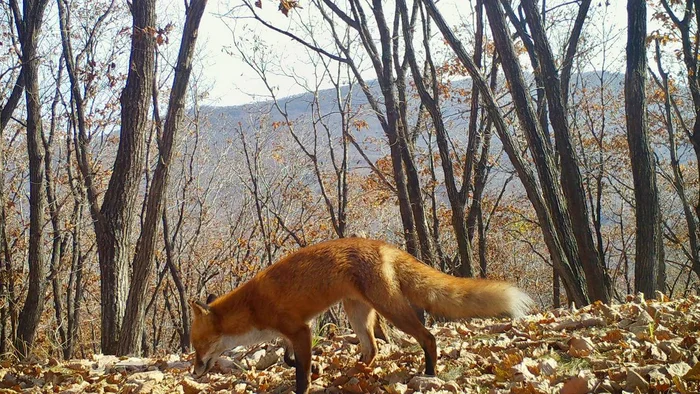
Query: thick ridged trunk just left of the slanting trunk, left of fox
{"type": "Point", "coordinates": [117, 211]}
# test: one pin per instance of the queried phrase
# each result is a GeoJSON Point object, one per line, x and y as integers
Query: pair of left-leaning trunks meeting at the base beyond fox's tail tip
{"type": "Point", "coordinates": [547, 202]}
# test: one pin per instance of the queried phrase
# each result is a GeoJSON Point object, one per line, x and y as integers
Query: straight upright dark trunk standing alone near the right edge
{"type": "Point", "coordinates": [648, 248]}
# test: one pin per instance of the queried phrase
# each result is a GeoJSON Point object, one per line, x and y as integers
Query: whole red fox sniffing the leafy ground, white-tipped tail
{"type": "Point", "coordinates": [368, 276]}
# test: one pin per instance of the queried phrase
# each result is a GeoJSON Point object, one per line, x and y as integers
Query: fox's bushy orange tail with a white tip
{"type": "Point", "coordinates": [458, 298]}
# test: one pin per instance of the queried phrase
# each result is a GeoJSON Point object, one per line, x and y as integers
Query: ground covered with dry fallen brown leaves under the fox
{"type": "Point", "coordinates": [640, 346]}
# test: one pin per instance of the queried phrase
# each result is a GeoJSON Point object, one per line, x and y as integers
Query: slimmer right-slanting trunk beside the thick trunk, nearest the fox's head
{"type": "Point", "coordinates": [132, 326]}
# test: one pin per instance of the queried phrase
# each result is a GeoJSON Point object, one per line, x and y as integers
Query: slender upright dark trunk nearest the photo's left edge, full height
{"type": "Point", "coordinates": [33, 12]}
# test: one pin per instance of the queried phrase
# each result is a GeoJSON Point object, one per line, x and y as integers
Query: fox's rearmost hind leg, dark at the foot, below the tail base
{"type": "Point", "coordinates": [402, 315]}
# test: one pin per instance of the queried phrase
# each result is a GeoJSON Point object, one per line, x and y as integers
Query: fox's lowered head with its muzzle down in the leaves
{"type": "Point", "coordinates": [205, 337]}
